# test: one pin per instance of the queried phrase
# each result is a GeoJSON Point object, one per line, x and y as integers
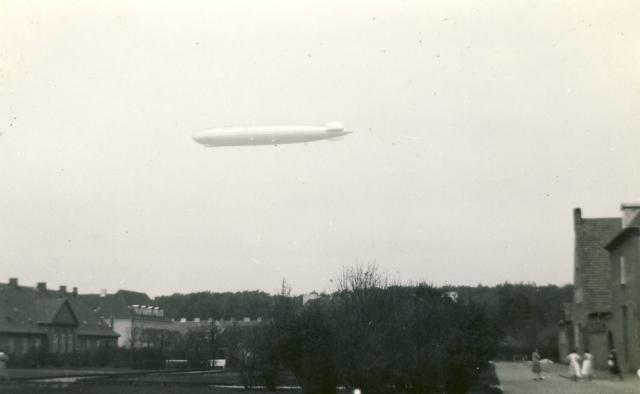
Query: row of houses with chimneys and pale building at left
{"type": "Point", "coordinates": [39, 319]}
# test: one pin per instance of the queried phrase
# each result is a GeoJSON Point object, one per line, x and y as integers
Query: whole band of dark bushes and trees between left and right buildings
{"type": "Point", "coordinates": [376, 335]}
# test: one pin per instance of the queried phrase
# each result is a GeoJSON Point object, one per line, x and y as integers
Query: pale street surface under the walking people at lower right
{"type": "Point", "coordinates": [516, 377]}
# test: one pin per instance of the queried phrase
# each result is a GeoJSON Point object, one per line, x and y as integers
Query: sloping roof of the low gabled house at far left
{"type": "Point", "coordinates": [28, 310]}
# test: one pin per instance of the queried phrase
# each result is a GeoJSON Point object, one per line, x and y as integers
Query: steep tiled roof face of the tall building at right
{"type": "Point", "coordinates": [592, 260]}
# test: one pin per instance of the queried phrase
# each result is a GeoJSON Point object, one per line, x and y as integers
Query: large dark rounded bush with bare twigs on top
{"type": "Point", "coordinates": [383, 339]}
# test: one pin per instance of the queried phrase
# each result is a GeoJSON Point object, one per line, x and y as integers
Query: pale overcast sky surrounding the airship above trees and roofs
{"type": "Point", "coordinates": [478, 127]}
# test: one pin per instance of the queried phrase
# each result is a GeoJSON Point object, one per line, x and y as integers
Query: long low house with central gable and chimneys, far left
{"type": "Point", "coordinates": [52, 321]}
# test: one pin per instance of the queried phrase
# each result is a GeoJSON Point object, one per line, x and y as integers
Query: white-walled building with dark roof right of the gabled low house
{"type": "Point", "coordinates": [134, 317]}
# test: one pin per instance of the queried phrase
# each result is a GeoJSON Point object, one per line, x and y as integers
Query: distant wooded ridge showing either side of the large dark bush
{"type": "Point", "coordinates": [525, 314]}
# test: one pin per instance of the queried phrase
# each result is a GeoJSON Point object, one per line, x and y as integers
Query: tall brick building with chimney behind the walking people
{"type": "Point", "coordinates": [605, 312]}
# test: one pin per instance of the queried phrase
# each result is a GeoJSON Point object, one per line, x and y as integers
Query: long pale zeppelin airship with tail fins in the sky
{"type": "Point", "coordinates": [269, 135]}
